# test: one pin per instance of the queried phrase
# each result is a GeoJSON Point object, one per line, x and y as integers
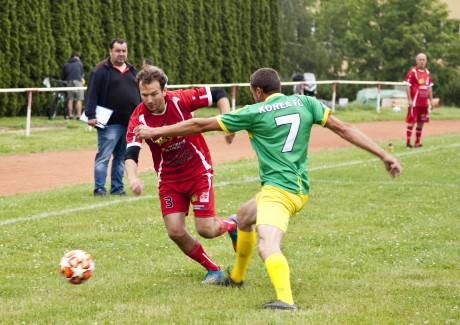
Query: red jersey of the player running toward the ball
{"type": "Point", "coordinates": [179, 158]}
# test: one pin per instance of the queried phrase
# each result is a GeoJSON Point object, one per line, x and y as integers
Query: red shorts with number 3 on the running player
{"type": "Point", "coordinates": [177, 197]}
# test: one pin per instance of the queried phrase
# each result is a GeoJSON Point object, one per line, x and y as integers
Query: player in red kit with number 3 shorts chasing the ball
{"type": "Point", "coordinates": [183, 164]}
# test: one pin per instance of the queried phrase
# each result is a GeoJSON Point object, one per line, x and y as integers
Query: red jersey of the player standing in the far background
{"type": "Point", "coordinates": [420, 82]}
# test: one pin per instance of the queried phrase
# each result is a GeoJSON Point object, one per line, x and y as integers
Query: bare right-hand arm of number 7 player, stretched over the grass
{"type": "Point", "coordinates": [359, 139]}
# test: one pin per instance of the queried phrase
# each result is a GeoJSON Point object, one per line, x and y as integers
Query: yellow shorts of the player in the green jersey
{"type": "Point", "coordinates": [275, 206]}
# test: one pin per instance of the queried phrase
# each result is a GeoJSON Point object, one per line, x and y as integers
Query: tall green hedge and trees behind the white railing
{"type": "Point", "coordinates": [223, 41]}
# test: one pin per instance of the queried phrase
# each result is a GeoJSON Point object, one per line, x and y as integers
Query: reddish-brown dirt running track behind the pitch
{"type": "Point", "coordinates": [43, 171]}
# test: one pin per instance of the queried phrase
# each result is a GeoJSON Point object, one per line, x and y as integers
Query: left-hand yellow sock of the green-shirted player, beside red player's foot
{"type": "Point", "coordinates": [244, 249]}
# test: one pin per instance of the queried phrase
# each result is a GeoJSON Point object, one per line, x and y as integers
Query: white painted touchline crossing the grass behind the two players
{"type": "Point", "coordinates": [221, 184]}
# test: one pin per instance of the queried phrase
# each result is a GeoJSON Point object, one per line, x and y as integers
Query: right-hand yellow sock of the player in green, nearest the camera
{"type": "Point", "coordinates": [278, 270]}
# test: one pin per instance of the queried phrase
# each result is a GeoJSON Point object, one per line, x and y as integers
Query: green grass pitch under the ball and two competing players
{"type": "Point", "coordinates": [366, 249]}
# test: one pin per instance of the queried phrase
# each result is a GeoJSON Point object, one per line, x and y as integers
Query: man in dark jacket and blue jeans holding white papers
{"type": "Point", "coordinates": [112, 84]}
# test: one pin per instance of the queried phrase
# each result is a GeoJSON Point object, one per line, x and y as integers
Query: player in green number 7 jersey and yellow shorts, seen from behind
{"type": "Point", "coordinates": [279, 130]}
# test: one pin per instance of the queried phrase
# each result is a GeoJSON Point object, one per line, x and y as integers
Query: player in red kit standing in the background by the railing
{"type": "Point", "coordinates": [420, 98]}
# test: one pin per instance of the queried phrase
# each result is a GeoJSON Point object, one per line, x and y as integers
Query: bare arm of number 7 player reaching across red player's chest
{"type": "Point", "coordinates": [188, 127]}
